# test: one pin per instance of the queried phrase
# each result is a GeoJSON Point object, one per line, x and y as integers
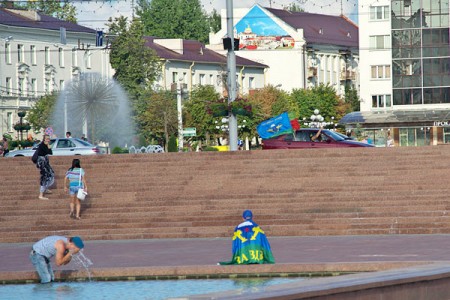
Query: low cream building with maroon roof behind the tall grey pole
{"type": "Point", "coordinates": [190, 63]}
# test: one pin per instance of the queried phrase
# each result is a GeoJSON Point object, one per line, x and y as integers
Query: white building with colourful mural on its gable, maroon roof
{"type": "Point", "coordinates": [301, 49]}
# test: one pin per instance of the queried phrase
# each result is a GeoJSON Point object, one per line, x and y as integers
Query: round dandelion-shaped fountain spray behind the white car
{"type": "Point", "coordinates": [95, 106]}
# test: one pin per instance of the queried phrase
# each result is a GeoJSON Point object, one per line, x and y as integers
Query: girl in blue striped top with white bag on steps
{"type": "Point", "coordinates": [77, 180]}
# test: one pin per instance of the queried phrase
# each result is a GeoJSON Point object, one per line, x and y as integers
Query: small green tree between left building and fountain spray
{"type": "Point", "coordinates": [40, 114]}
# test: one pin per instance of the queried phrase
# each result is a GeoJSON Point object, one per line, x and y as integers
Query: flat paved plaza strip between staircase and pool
{"type": "Point", "coordinates": [199, 257]}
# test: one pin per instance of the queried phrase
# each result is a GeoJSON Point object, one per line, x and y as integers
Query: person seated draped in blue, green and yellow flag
{"type": "Point", "coordinates": [250, 244]}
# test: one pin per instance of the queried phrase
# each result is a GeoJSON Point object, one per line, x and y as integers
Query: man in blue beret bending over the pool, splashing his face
{"type": "Point", "coordinates": [61, 247]}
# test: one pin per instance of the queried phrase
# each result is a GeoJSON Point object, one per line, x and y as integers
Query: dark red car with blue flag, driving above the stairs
{"type": "Point", "coordinates": [302, 139]}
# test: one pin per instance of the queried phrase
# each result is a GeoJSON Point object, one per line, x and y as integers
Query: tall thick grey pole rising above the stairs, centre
{"type": "Point", "coordinates": [231, 78]}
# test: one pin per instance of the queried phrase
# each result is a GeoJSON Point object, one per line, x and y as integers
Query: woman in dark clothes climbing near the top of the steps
{"type": "Point", "coordinates": [43, 164]}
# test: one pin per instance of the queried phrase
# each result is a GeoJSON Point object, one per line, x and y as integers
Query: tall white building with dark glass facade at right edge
{"type": "Point", "coordinates": [405, 71]}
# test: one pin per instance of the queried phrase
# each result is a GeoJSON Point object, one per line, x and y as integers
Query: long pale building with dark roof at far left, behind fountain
{"type": "Point", "coordinates": [39, 54]}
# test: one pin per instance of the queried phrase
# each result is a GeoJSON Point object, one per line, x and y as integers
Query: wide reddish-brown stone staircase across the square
{"type": "Point", "coordinates": [352, 191]}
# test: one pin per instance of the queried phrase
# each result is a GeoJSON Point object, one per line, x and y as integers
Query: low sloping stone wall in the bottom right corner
{"type": "Point", "coordinates": [423, 282]}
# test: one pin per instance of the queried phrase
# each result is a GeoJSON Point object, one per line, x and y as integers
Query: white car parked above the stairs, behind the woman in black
{"type": "Point", "coordinates": [61, 147]}
